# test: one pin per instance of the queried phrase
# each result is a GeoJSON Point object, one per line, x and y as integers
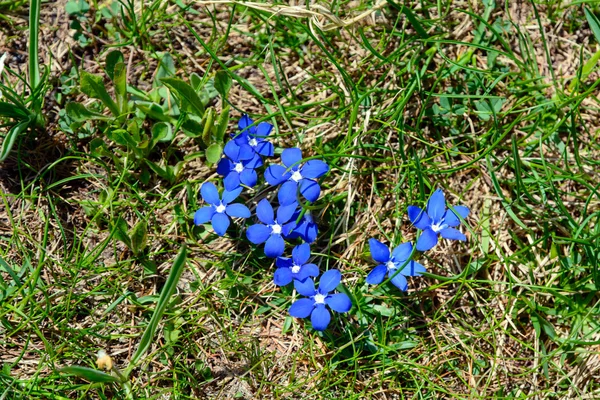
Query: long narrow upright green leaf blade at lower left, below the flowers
{"type": "Point", "coordinates": [161, 306]}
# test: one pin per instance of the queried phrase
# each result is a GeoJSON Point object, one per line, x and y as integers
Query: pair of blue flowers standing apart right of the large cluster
{"type": "Point", "coordinates": [435, 221]}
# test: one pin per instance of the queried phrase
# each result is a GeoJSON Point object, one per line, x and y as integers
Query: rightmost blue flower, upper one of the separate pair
{"type": "Point", "coordinates": [437, 220]}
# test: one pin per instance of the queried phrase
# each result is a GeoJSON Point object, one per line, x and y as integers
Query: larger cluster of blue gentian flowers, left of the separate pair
{"type": "Point", "coordinates": [243, 155]}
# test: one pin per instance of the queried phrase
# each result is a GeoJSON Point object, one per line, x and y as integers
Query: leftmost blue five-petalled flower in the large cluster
{"type": "Point", "coordinates": [219, 211]}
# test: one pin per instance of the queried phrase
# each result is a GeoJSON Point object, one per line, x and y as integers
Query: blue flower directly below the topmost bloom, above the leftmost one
{"type": "Point", "coordinates": [238, 166]}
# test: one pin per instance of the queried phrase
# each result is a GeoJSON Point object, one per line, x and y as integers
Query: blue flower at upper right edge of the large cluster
{"type": "Point", "coordinates": [296, 176]}
